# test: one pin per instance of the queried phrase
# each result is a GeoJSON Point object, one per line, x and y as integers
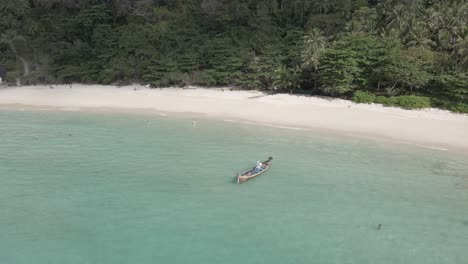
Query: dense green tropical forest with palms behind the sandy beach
{"type": "Point", "coordinates": [338, 47]}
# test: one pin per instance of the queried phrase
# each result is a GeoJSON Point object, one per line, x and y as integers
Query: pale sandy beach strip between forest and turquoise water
{"type": "Point", "coordinates": [431, 128]}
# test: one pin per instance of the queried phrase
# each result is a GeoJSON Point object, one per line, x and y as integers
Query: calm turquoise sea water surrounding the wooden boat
{"type": "Point", "coordinates": [110, 188]}
